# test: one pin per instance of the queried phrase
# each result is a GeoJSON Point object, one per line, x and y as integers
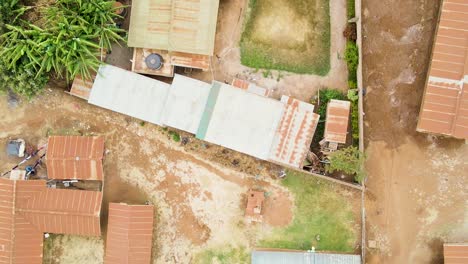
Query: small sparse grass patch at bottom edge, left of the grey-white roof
{"type": "Point", "coordinates": [227, 255]}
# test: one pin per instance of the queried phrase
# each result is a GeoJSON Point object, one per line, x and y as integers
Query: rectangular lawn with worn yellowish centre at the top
{"type": "Point", "coordinates": [287, 35]}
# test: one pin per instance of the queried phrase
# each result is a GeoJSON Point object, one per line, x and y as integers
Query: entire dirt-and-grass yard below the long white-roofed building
{"type": "Point", "coordinates": [199, 193]}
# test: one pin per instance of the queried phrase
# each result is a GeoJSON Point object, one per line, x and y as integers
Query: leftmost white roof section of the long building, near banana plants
{"type": "Point", "coordinates": [129, 93]}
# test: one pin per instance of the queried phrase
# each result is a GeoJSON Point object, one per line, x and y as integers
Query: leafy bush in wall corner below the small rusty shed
{"type": "Point", "coordinates": [348, 160]}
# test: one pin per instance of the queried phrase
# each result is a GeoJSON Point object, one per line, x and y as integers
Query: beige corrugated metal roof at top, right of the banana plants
{"type": "Point", "coordinates": [175, 25]}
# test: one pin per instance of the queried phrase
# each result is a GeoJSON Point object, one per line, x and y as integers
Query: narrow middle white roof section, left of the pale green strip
{"type": "Point", "coordinates": [185, 103]}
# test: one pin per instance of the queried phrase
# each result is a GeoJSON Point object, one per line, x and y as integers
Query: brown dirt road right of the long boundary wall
{"type": "Point", "coordinates": [417, 195]}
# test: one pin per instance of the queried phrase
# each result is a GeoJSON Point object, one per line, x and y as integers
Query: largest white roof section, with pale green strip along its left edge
{"type": "Point", "coordinates": [240, 120]}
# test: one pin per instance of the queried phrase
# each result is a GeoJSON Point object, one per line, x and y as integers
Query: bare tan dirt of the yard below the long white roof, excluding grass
{"type": "Point", "coordinates": [200, 203]}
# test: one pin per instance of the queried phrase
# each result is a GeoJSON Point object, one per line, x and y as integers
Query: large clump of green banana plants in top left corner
{"type": "Point", "coordinates": [73, 37]}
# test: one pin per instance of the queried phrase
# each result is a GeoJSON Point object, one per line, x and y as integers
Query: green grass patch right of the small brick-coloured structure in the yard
{"type": "Point", "coordinates": [319, 210]}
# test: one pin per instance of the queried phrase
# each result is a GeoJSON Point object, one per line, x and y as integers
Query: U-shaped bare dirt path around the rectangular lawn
{"type": "Point", "coordinates": [226, 64]}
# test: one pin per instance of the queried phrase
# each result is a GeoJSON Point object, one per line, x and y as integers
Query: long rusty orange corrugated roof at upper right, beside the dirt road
{"type": "Point", "coordinates": [445, 104]}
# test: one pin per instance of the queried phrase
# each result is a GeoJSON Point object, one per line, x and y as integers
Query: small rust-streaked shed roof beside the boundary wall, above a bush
{"type": "Point", "coordinates": [336, 126]}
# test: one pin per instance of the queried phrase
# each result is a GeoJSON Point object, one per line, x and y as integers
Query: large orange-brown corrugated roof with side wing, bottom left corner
{"type": "Point", "coordinates": [29, 209]}
